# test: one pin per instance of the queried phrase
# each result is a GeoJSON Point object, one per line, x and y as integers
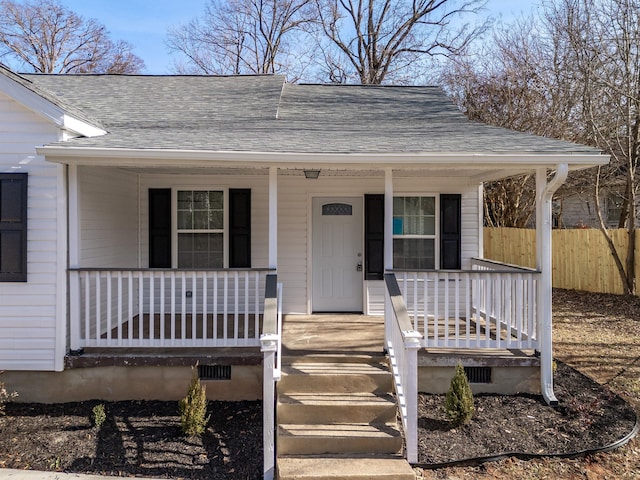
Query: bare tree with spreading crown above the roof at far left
{"type": "Point", "coordinates": [47, 37]}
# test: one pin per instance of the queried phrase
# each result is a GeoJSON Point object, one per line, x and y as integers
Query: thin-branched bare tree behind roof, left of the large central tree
{"type": "Point", "coordinates": [243, 36]}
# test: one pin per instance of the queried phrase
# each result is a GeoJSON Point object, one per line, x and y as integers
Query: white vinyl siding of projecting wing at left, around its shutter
{"type": "Point", "coordinates": [29, 331]}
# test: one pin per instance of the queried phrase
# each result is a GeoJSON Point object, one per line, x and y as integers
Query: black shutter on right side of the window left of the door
{"type": "Point", "coordinates": [239, 228]}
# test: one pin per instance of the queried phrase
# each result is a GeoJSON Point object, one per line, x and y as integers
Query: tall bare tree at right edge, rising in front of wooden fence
{"type": "Point", "coordinates": [604, 37]}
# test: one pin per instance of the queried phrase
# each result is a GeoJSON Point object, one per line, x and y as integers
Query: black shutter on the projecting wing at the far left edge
{"type": "Point", "coordinates": [13, 227]}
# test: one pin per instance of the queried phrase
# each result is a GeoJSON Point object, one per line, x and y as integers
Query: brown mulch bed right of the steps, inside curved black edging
{"type": "Point", "coordinates": [589, 417]}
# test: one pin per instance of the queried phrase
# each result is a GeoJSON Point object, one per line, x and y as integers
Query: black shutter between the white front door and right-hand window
{"type": "Point", "coordinates": [374, 237]}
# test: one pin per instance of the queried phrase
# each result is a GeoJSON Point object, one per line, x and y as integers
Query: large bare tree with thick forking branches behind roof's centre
{"type": "Point", "coordinates": [370, 41]}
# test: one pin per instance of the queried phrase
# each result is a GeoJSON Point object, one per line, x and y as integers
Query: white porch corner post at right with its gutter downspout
{"type": "Point", "coordinates": [544, 195]}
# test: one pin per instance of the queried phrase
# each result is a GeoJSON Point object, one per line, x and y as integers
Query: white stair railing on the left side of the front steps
{"type": "Point", "coordinates": [271, 346]}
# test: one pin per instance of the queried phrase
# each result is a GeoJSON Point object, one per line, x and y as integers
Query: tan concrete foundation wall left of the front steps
{"type": "Point", "coordinates": [114, 383]}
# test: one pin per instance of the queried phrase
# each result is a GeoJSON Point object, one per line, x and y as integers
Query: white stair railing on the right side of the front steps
{"type": "Point", "coordinates": [403, 343]}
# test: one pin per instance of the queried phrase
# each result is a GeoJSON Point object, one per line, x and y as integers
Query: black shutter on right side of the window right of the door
{"type": "Point", "coordinates": [450, 231]}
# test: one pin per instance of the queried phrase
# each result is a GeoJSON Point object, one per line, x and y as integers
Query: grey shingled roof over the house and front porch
{"type": "Point", "coordinates": [266, 114]}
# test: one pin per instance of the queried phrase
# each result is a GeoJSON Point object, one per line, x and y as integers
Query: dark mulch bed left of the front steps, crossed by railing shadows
{"type": "Point", "coordinates": [138, 438]}
